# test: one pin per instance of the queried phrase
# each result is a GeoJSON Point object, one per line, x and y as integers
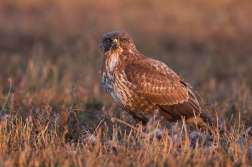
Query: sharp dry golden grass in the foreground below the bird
{"type": "Point", "coordinates": [47, 139]}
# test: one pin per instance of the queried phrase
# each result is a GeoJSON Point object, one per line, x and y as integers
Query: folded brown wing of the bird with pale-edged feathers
{"type": "Point", "coordinates": [160, 86]}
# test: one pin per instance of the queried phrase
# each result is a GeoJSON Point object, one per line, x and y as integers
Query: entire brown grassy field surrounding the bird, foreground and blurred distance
{"type": "Point", "coordinates": [54, 111]}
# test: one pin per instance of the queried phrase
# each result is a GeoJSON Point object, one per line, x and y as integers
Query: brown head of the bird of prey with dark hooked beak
{"type": "Point", "coordinates": [116, 41]}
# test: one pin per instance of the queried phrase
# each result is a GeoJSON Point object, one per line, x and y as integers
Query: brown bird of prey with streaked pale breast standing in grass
{"type": "Point", "coordinates": [141, 85]}
